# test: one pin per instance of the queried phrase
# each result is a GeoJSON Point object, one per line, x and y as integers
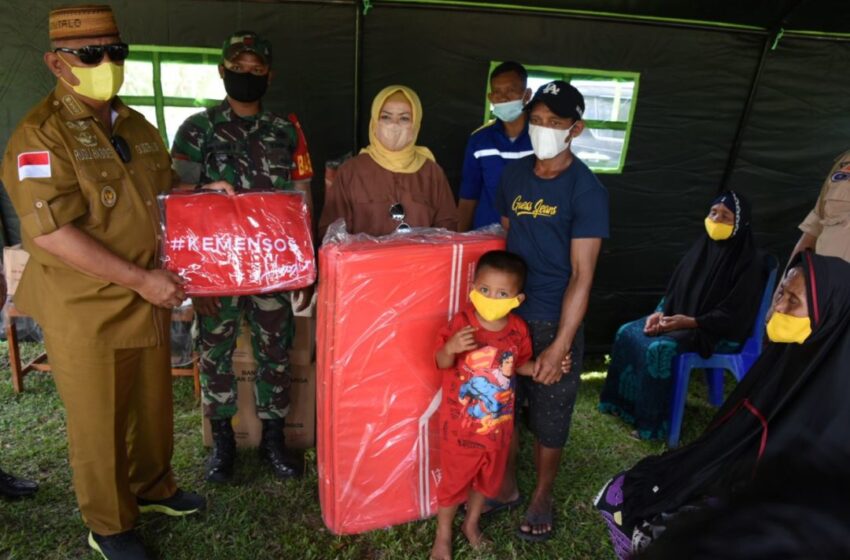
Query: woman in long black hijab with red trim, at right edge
{"type": "Point", "coordinates": [794, 398]}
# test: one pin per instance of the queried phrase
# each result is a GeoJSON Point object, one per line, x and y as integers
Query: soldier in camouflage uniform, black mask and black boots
{"type": "Point", "coordinates": [251, 148]}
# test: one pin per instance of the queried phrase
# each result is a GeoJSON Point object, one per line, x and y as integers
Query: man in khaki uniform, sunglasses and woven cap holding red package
{"type": "Point", "coordinates": [83, 172]}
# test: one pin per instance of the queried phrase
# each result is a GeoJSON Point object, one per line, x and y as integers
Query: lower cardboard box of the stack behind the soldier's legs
{"type": "Point", "coordinates": [300, 424]}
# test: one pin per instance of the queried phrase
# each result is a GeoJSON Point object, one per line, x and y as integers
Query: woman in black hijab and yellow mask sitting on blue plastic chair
{"type": "Point", "coordinates": [710, 305]}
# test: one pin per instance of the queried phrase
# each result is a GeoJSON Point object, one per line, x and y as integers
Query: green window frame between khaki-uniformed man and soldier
{"type": "Point", "coordinates": [157, 55]}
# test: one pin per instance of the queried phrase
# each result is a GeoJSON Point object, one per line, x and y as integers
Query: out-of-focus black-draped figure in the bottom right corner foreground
{"type": "Point", "coordinates": [796, 507]}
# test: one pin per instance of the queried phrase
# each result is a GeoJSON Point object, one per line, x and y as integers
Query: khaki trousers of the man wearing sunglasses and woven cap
{"type": "Point", "coordinates": [119, 415]}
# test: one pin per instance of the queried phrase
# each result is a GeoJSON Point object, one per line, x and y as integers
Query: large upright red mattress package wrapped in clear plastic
{"type": "Point", "coordinates": [381, 303]}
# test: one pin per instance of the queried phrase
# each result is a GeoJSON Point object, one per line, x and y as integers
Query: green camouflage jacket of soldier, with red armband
{"type": "Point", "coordinates": [265, 151]}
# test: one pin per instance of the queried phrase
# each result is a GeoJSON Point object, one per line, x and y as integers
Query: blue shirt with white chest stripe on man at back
{"type": "Point", "coordinates": [487, 152]}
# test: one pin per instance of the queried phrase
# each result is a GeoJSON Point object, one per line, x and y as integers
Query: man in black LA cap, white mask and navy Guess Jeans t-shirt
{"type": "Point", "coordinates": [556, 214]}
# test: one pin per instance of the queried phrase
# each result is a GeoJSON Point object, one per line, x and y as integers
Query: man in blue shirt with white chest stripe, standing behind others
{"type": "Point", "coordinates": [494, 145]}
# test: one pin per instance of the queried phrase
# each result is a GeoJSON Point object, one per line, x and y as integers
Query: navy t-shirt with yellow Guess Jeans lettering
{"type": "Point", "coordinates": [545, 215]}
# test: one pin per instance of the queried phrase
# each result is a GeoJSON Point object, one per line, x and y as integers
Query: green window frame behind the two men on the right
{"type": "Point", "coordinates": [568, 74]}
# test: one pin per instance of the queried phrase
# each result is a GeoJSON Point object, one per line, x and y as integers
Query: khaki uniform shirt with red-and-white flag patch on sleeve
{"type": "Point", "coordinates": [60, 168]}
